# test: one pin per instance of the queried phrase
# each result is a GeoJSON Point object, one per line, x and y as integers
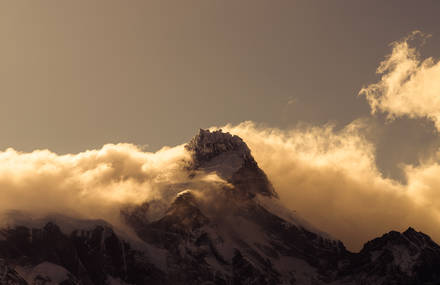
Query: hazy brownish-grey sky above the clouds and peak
{"type": "Point", "coordinates": [75, 75]}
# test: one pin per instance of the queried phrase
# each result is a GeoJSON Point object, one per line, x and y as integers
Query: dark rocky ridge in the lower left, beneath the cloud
{"type": "Point", "coordinates": [90, 256]}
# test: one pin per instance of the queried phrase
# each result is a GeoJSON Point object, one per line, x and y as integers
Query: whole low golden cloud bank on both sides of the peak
{"type": "Point", "coordinates": [329, 177]}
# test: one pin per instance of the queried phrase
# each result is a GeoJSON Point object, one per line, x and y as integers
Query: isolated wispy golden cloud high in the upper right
{"type": "Point", "coordinates": [409, 86]}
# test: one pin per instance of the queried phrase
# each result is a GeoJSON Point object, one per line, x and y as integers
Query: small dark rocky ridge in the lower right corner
{"type": "Point", "coordinates": [410, 257]}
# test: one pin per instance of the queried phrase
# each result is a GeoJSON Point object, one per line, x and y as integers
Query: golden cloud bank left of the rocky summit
{"type": "Point", "coordinates": [94, 184]}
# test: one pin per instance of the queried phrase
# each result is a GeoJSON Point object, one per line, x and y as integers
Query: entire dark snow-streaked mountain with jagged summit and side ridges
{"type": "Point", "coordinates": [234, 232]}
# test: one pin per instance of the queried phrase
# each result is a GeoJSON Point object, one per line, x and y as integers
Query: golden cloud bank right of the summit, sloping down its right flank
{"type": "Point", "coordinates": [330, 178]}
